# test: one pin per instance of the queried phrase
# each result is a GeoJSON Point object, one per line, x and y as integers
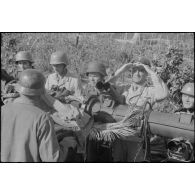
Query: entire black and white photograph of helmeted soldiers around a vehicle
{"type": "Point", "coordinates": [101, 97]}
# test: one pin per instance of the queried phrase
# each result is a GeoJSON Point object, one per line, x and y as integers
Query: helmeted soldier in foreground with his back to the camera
{"type": "Point", "coordinates": [27, 132]}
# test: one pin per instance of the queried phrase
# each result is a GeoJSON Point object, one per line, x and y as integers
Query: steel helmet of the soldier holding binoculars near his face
{"type": "Point", "coordinates": [96, 67]}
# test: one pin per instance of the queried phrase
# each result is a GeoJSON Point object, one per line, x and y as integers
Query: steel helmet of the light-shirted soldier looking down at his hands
{"type": "Point", "coordinates": [58, 57]}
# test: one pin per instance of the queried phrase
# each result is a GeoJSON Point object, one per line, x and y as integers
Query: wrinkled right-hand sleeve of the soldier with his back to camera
{"type": "Point", "coordinates": [49, 149]}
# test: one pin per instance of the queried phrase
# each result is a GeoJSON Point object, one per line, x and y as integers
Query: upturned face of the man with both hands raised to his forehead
{"type": "Point", "coordinates": [139, 75]}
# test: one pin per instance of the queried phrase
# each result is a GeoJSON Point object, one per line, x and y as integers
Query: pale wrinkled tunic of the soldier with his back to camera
{"type": "Point", "coordinates": [27, 134]}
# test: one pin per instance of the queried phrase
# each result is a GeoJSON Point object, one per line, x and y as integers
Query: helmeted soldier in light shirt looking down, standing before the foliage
{"type": "Point", "coordinates": [61, 78]}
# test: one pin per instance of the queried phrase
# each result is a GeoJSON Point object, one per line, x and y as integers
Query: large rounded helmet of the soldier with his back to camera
{"type": "Point", "coordinates": [31, 83]}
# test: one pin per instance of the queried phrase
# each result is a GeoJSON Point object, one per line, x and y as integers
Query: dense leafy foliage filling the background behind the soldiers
{"type": "Point", "coordinates": [172, 54]}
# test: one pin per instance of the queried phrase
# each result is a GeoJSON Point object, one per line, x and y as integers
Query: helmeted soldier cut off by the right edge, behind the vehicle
{"type": "Point", "coordinates": [187, 99]}
